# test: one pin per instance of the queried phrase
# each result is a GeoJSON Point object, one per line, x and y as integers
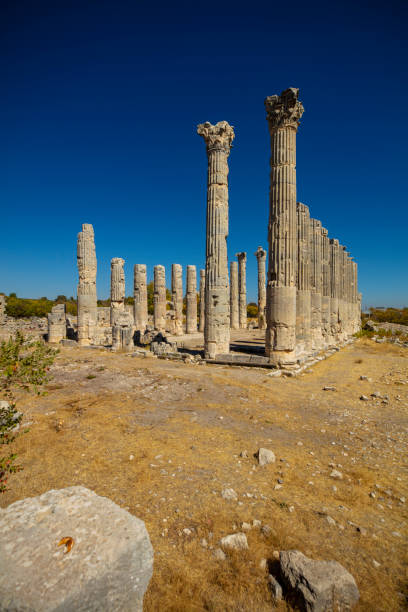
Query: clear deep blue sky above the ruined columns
{"type": "Point", "coordinates": [99, 107]}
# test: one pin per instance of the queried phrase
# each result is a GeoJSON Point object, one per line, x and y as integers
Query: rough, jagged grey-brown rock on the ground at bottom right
{"type": "Point", "coordinates": [322, 586]}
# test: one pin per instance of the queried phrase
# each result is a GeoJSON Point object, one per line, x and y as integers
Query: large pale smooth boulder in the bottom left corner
{"type": "Point", "coordinates": [106, 563]}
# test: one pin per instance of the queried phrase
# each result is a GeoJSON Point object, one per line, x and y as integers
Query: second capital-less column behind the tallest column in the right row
{"type": "Point", "coordinates": [316, 283]}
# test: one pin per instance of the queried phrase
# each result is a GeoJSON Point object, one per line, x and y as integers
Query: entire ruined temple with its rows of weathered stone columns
{"type": "Point", "coordinates": [307, 298]}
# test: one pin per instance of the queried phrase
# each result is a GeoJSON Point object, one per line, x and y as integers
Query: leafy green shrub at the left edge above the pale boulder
{"type": "Point", "coordinates": [23, 365]}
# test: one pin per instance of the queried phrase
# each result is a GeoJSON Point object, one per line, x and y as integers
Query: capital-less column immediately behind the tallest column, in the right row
{"type": "Point", "coordinates": [303, 299]}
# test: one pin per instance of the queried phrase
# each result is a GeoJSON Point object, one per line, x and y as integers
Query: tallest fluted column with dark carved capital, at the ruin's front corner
{"type": "Point", "coordinates": [283, 115]}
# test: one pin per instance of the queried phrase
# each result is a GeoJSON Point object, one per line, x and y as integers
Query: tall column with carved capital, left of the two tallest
{"type": "Point", "coordinates": [218, 139]}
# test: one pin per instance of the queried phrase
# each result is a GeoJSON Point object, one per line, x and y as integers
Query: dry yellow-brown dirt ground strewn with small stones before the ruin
{"type": "Point", "coordinates": [163, 440]}
